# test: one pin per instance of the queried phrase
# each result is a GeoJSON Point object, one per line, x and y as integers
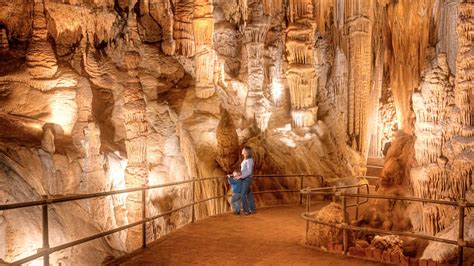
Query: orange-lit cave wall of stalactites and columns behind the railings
{"type": "Point", "coordinates": [104, 95]}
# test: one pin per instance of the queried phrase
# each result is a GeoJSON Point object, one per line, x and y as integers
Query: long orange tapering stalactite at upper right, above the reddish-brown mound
{"type": "Point", "coordinates": [409, 41]}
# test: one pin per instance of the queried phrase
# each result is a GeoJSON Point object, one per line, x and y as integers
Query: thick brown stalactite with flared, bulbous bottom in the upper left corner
{"type": "Point", "coordinates": [40, 57]}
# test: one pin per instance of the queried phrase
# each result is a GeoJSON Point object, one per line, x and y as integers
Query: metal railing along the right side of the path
{"type": "Point", "coordinates": [461, 204]}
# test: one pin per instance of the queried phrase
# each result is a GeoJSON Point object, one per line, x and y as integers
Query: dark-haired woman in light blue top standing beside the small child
{"type": "Point", "coordinates": [246, 170]}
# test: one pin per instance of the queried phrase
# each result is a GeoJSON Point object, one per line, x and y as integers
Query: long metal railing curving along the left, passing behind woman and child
{"type": "Point", "coordinates": [46, 250]}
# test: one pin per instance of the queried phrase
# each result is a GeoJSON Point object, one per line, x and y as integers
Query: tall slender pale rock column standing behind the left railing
{"type": "Point", "coordinates": [136, 173]}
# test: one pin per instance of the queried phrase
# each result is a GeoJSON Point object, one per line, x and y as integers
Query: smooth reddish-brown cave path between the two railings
{"type": "Point", "coordinates": [273, 236]}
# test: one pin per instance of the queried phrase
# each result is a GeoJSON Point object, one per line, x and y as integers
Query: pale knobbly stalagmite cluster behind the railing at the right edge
{"type": "Point", "coordinates": [444, 146]}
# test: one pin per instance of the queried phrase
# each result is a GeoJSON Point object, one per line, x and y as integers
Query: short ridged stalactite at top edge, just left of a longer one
{"type": "Point", "coordinates": [183, 28]}
